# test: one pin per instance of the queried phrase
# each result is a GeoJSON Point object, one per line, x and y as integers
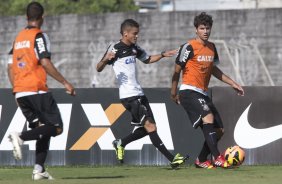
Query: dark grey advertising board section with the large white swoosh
{"type": "Point", "coordinates": [252, 122]}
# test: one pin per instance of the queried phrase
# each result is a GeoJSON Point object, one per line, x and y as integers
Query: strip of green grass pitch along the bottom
{"type": "Point", "coordinates": [144, 175]}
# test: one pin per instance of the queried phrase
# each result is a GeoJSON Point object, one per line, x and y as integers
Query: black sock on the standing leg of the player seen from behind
{"type": "Point", "coordinates": [42, 147]}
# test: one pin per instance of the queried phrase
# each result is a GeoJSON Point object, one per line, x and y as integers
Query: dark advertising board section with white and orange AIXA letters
{"type": "Point", "coordinates": [92, 120]}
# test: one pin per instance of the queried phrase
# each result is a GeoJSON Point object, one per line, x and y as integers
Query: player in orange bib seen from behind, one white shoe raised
{"type": "Point", "coordinates": [28, 73]}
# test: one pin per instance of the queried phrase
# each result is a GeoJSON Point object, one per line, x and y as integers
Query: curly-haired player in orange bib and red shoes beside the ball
{"type": "Point", "coordinates": [197, 60]}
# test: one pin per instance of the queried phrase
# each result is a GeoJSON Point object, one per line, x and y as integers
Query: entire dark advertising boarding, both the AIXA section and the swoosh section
{"type": "Point", "coordinates": [95, 117]}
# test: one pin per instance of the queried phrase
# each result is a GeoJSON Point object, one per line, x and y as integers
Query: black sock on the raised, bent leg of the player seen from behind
{"type": "Point", "coordinates": [39, 132]}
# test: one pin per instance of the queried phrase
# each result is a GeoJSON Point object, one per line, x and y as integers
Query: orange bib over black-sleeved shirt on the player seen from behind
{"type": "Point", "coordinates": [29, 47]}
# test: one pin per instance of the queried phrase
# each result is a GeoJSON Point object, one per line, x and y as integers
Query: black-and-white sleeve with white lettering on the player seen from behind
{"type": "Point", "coordinates": [42, 46]}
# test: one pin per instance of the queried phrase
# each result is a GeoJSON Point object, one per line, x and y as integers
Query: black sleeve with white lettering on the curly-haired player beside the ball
{"type": "Point", "coordinates": [185, 53]}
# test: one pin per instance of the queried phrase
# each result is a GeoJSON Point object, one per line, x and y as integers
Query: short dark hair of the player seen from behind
{"type": "Point", "coordinates": [34, 11]}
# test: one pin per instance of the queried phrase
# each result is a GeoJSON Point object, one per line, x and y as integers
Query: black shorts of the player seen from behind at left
{"type": "Point", "coordinates": [42, 108]}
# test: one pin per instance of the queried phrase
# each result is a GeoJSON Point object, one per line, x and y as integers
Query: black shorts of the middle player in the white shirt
{"type": "Point", "coordinates": [139, 108]}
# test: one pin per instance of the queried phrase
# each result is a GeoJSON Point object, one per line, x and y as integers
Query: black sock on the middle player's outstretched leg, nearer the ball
{"type": "Point", "coordinates": [157, 142]}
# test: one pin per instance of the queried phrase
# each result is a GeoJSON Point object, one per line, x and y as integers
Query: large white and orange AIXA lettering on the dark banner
{"type": "Point", "coordinates": [99, 131]}
